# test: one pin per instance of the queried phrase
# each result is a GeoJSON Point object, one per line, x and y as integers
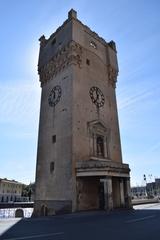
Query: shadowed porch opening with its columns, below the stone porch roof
{"type": "Point", "coordinates": [102, 192]}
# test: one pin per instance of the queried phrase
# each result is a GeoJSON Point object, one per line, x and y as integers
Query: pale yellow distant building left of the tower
{"type": "Point", "coordinates": [10, 190]}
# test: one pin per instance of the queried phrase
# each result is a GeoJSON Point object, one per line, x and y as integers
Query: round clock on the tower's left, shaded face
{"type": "Point", "coordinates": [54, 96]}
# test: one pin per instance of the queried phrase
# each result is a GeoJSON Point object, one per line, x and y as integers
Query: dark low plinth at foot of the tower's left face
{"type": "Point", "coordinates": [51, 207]}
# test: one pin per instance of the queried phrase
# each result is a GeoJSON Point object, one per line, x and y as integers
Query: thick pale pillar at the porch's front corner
{"type": "Point", "coordinates": [108, 193]}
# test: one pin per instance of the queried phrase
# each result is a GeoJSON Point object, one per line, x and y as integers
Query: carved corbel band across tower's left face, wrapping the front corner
{"type": "Point", "coordinates": [68, 55]}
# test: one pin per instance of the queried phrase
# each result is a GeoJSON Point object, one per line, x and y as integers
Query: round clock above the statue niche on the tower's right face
{"type": "Point", "coordinates": [96, 96]}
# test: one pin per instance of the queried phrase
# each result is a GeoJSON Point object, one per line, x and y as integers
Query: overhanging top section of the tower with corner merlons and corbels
{"type": "Point", "coordinates": [54, 52]}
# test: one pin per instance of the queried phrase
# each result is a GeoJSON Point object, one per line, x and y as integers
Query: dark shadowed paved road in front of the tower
{"type": "Point", "coordinates": [142, 223]}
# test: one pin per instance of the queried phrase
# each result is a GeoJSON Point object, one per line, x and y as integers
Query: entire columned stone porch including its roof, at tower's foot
{"type": "Point", "coordinates": [103, 185]}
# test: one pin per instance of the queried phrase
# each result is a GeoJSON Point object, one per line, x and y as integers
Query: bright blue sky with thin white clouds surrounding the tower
{"type": "Point", "coordinates": [133, 25]}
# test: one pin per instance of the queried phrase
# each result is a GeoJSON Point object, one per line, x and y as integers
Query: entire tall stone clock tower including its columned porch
{"type": "Point", "coordinates": [79, 161]}
